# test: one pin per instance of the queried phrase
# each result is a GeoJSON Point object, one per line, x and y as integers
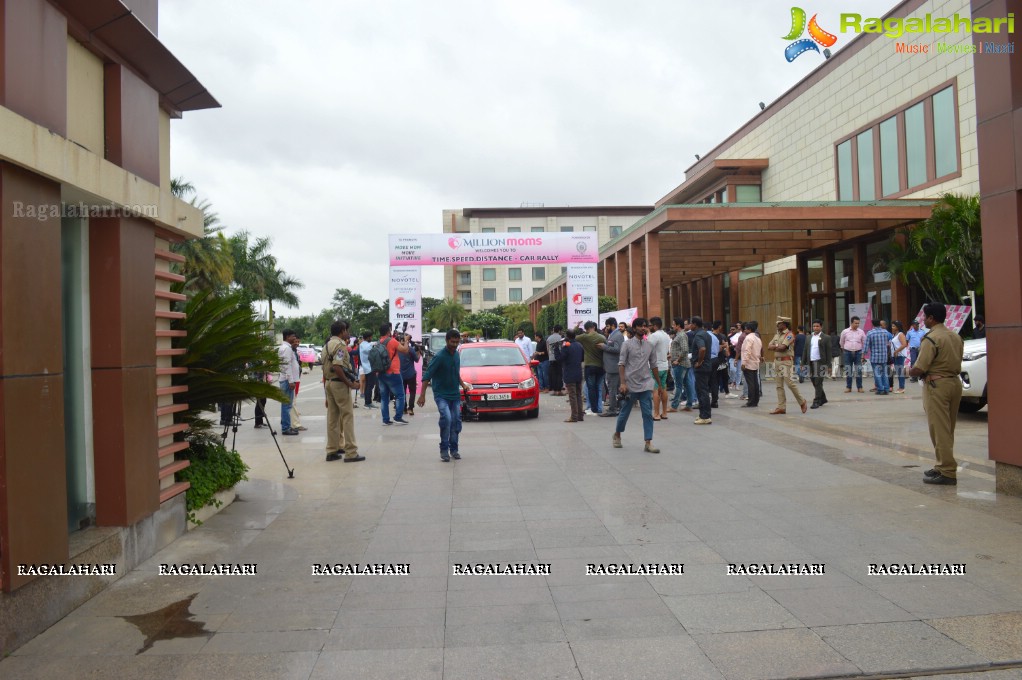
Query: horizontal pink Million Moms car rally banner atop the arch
{"type": "Point", "coordinates": [495, 249]}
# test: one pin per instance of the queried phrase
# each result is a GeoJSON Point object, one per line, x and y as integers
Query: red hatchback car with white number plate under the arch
{"type": "Point", "coordinates": [501, 377]}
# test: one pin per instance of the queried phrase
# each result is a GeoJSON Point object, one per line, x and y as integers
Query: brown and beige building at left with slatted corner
{"type": "Point", "coordinates": [87, 470]}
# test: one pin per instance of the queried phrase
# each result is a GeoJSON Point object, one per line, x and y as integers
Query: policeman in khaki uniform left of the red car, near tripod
{"type": "Point", "coordinates": [339, 385]}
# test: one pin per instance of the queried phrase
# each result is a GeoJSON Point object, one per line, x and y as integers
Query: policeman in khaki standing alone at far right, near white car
{"type": "Point", "coordinates": [939, 367]}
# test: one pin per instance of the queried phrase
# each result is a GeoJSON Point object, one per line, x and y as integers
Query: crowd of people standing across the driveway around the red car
{"type": "Point", "coordinates": [605, 373]}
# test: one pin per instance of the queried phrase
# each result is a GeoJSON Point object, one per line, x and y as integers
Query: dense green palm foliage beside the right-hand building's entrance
{"type": "Point", "coordinates": [944, 256]}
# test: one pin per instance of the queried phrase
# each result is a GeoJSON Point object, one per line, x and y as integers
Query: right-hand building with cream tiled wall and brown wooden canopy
{"type": "Point", "coordinates": [791, 213]}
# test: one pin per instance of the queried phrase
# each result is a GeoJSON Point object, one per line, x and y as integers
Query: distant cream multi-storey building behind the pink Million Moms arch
{"type": "Point", "coordinates": [481, 289]}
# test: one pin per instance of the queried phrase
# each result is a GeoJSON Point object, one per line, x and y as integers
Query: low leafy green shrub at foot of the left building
{"type": "Point", "coordinates": [213, 469]}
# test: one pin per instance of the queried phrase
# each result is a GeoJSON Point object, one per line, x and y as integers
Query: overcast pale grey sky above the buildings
{"type": "Point", "coordinates": [344, 122]}
